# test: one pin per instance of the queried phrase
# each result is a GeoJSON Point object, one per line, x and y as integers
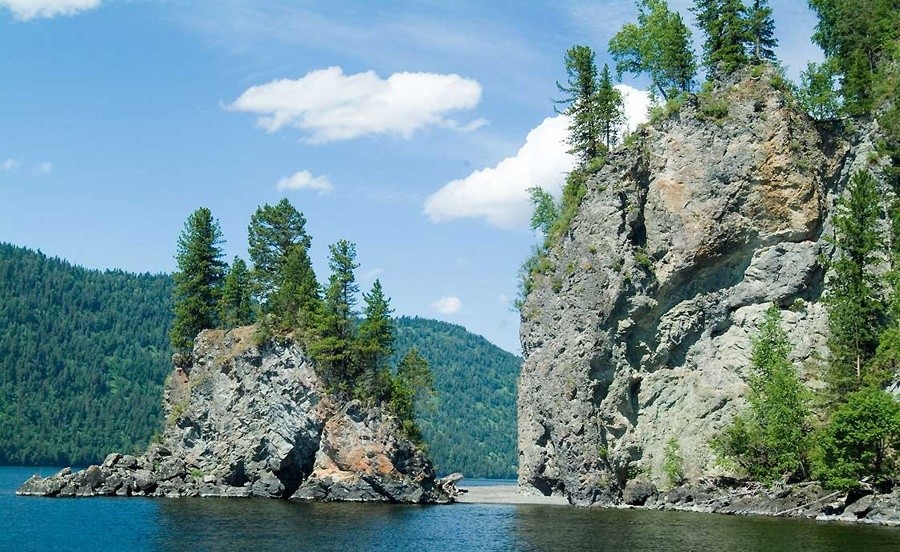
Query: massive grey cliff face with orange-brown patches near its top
{"type": "Point", "coordinates": [640, 333]}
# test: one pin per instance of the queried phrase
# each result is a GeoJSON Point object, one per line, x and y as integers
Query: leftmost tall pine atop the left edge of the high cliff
{"type": "Point", "coordinates": [581, 103]}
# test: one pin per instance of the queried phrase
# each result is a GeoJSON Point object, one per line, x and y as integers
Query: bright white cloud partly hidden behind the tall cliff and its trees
{"type": "Point", "coordinates": [499, 193]}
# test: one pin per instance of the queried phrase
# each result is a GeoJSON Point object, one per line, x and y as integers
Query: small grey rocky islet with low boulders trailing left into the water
{"type": "Point", "coordinates": [243, 420]}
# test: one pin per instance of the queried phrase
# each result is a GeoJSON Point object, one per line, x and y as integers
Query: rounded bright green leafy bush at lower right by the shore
{"type": "Point", "coordinates": [861, 440]}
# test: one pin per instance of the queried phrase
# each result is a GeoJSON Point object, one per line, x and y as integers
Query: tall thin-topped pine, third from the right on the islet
{"type": "Point", "coordinates": [335, 346]}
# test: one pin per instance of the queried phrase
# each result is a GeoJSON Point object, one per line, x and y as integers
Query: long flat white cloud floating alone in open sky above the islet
{"type": "Point", "coordinates": [331, 106]}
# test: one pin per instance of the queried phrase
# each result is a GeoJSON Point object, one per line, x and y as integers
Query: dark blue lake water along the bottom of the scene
{"type": "Point", "coordinates": [195, 525]}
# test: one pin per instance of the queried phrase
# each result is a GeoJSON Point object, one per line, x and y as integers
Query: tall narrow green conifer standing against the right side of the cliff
{"type": "Point", "coordinates": [853, 295]}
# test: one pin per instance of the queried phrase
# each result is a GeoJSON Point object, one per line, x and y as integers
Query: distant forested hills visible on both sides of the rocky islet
{"type": "Point", "coordinates": [83, 355]}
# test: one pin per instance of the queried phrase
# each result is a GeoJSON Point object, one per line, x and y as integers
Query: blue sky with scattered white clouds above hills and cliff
{"type": "Point", "coordinates": [411, 128]}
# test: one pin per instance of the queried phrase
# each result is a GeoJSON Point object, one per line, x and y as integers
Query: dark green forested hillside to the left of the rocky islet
{"type": "Point", "coordinates": [83, 355]}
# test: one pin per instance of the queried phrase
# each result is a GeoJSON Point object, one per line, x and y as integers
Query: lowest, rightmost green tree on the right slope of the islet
{"type": "Point", "coordinates": [413, 383]}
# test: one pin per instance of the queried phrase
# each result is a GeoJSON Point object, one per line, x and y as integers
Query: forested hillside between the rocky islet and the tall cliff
{"type": "Point", "coordinates": [472, 427]}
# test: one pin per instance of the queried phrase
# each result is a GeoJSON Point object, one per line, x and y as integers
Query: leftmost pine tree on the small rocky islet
{"type": "Point", "coordinates": [198, 278]}
